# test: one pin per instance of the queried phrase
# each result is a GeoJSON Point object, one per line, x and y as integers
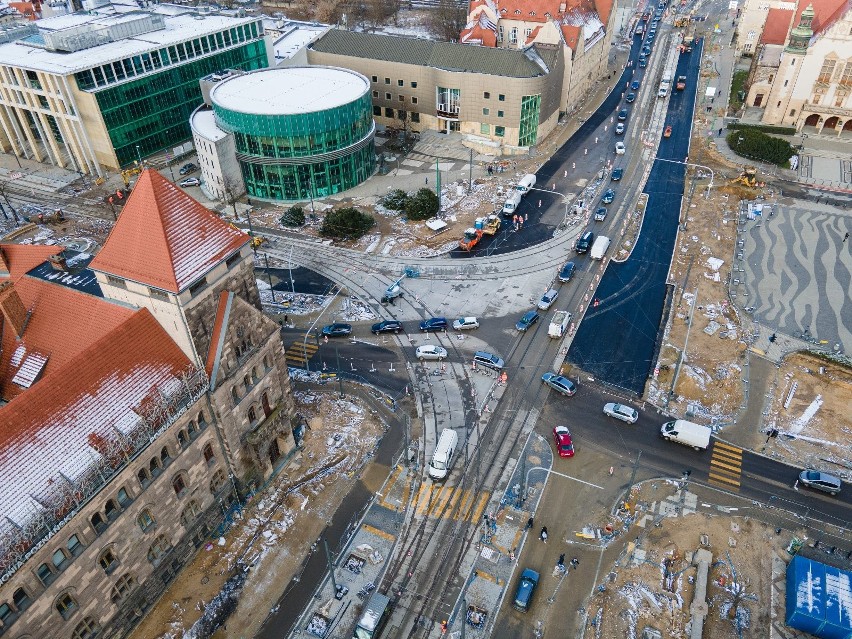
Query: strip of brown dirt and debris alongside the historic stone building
{"type": "Point", "coordinates": [277, 527]}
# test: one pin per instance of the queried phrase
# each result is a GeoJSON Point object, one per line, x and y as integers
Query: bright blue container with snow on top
{"type": "Point", "coordinates": [819, 599]}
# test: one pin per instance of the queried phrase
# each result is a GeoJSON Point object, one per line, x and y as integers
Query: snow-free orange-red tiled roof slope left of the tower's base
{"type": "Point", "coordinates": [62, 323]}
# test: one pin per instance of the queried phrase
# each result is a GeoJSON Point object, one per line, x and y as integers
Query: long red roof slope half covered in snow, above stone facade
{"type": "Point", "coordinates": [50, 429]}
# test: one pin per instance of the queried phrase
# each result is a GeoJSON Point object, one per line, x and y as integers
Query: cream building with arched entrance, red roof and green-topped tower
{"type": "Point", "coordinates": [801, 73]}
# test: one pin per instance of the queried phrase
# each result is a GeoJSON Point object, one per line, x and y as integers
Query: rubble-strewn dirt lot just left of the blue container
{"type": "Point", "coordinates": [657, 589]}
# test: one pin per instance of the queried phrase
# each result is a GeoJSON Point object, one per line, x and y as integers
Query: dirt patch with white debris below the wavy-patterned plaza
{"type": "Point", "coordinates": [814, 427]}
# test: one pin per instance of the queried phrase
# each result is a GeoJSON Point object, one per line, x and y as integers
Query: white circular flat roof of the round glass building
{"type": "Point", "coordinates": [289, 90]}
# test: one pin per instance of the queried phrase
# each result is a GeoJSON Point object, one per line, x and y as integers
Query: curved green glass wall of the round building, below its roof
{"type": "Point", "coordinates": [296, 156]}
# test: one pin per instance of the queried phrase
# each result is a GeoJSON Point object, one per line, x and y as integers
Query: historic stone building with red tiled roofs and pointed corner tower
{"type": "Point", "coordinates": [144, 392]}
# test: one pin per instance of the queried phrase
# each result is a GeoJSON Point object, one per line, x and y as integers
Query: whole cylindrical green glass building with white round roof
{"type": "Point", "coordinates": [299, 132]}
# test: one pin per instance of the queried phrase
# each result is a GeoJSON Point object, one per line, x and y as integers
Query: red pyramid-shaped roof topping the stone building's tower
{"type": "Point", "coordinates": [164, 238]}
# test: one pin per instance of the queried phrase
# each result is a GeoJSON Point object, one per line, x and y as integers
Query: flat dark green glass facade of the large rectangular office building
{"type": "Point", "coordinates": [153, 111]}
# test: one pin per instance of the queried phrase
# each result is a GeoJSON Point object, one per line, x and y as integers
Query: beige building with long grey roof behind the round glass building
{"type": "Point", "coordinates": [502, 100]}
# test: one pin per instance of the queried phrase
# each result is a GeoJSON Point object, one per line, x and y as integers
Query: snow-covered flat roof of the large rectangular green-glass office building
{"type": "Point", "coordinates": [179, 28]}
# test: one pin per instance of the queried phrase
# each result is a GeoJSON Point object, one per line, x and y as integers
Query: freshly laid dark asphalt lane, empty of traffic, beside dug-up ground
{"type": "Point", "coordinates": [615, 341]}
